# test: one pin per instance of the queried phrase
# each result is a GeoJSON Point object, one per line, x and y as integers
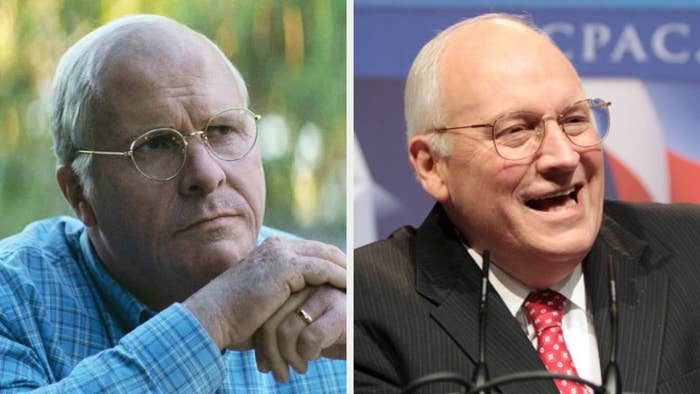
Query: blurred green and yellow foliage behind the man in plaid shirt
{"type": "Point", "coordinates": [291, 53]}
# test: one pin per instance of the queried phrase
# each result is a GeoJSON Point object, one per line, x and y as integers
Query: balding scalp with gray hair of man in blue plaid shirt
{"type": "Point", "coordinates": [132, 54]}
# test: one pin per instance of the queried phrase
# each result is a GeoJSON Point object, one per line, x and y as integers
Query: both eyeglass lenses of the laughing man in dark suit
{"type": "Point", "coordinates": [519, 134]}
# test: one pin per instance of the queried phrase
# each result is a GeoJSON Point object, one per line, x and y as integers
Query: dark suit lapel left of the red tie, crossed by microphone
{"type": "Point", "coordinates": [447, 275]}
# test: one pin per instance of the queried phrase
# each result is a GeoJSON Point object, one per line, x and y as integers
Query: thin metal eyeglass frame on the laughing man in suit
{"type": "Point", "coordinates": [539, 134]}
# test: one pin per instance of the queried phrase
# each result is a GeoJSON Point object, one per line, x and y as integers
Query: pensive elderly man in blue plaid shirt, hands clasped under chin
{"type": "Point", "coordinates": [168, 282]}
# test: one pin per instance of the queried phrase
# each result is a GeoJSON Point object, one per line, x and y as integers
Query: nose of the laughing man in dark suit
{"type": "Point", "coordinates": [557, 153]}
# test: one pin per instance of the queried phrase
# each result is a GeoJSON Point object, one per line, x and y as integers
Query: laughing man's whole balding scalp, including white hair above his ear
{"type": "Point", "coordinates": [477, 55]}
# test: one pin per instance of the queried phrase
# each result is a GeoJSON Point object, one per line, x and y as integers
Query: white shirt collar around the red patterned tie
{"type": "Point", "coordinates": [513, 292]}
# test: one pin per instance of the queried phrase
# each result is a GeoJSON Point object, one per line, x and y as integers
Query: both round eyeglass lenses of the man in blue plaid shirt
{"type": "Point", "coordinates": [161, 153]}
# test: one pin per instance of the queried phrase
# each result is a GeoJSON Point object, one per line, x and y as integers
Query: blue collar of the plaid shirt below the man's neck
{"type": "Point", "coordinates": [127, 308]}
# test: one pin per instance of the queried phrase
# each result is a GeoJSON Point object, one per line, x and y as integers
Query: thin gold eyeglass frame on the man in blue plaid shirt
{"type": "Point", "coordinates": [184, 136]}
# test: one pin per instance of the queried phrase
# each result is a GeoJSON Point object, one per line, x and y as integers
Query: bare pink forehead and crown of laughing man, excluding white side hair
{"type": "Point", "coordinates": [501, 55]}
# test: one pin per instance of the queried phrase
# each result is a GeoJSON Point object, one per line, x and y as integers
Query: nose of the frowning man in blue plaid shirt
{"type": "Point", "coordinates": [202, 172]}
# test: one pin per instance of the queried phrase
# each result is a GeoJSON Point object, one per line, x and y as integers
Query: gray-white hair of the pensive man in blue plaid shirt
{"type": "Point", "coordinates": [77, 93]}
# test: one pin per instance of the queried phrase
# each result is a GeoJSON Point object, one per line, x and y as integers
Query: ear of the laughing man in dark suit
{"type": "Point", "coordinates": [426, 161]}
